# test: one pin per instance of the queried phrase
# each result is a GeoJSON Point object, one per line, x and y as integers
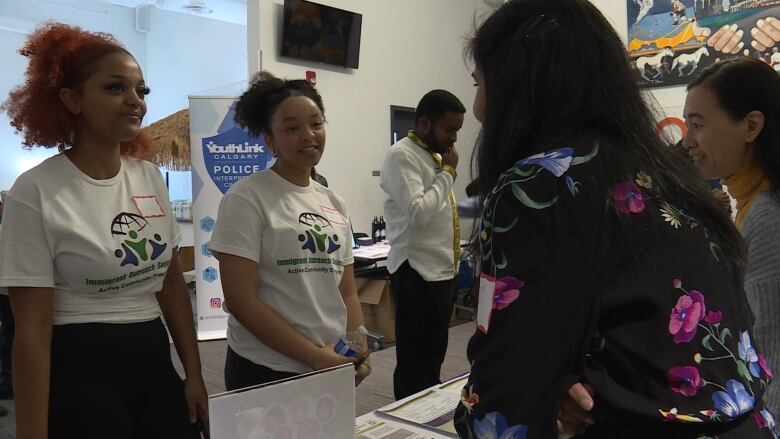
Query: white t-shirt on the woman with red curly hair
{"type": "Point", "coordinates": [103, 245]}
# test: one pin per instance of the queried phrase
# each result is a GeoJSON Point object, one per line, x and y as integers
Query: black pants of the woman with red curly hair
{"type": "Point", "coordinates": [115, 381]}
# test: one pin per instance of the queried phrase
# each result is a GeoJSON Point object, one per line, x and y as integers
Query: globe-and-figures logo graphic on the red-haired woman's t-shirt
{"type": "Point", "coordinates": [136, 245]}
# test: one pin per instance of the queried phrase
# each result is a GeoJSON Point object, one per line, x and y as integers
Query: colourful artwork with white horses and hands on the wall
{"type": "Point", "coordinates": [669, 41]}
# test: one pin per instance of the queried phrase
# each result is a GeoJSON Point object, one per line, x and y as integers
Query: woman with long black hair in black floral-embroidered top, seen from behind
{"type": "Point", "coordinates": [604, 257]}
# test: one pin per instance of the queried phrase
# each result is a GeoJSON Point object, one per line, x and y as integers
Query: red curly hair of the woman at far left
{"type": "Point", "coordinates": [61, 56]}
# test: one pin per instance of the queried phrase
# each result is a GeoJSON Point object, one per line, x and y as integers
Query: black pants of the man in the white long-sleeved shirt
{"type": "Point", "coordinates": [422, 317]}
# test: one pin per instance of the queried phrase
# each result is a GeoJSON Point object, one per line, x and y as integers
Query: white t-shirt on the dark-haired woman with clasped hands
{"type": "Point", "coordinates": [299, 237]}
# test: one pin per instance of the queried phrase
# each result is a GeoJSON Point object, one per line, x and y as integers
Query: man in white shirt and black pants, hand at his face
{"type": "Point", "coordinates": [422, 226]}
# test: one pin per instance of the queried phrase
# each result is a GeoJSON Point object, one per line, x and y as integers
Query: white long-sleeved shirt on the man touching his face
{"type": "Point", "coordinates": [418, 212]}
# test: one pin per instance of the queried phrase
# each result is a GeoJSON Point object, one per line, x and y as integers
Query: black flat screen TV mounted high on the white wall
{"type": "Point", "coordinates": [320, 33]}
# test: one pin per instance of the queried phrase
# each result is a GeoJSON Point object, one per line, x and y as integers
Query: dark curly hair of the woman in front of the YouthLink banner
{"type": "Point", "coordinates": [258, 104]}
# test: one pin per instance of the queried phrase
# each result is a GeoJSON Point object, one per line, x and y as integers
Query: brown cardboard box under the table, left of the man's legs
{"type": "Point", "coordinates": [378, 306]}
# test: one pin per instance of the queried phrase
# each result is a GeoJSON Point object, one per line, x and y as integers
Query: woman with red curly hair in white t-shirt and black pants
{"type": "Point", "coordinates": [88, 253]}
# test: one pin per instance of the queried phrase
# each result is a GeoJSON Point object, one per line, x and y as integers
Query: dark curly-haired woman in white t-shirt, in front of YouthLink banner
{"type": "Point", "coordinates": [283, 246]}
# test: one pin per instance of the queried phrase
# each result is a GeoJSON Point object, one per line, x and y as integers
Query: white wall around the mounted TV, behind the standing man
{"type": "Point", "coordinates": [407, 48]}
